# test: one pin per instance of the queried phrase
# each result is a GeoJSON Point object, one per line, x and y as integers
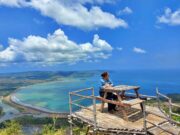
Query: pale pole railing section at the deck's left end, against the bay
{"type": "Point", "coordinates": [80, 98]}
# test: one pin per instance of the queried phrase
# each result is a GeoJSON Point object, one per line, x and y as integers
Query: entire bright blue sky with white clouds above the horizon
{"type": "Point", "coordinates": [89, 34]}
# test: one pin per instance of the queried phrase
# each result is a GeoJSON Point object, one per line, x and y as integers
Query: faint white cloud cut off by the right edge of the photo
{"type": "Point", "coordinates": [169, 17]}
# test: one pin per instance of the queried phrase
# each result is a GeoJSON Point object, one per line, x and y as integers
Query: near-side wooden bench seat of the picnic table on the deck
{"type": "Point", "coordinates": [123, 103]}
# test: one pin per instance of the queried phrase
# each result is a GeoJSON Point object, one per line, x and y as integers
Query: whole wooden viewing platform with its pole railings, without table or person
{"type": "Point", "coordinates": [150, 120]}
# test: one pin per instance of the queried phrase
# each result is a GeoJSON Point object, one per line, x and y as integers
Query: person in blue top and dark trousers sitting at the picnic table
{"type": "Point", "coordinates": [106, 82]}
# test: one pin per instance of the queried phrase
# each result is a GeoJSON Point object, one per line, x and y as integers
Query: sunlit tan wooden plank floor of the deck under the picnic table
{"type": "Point", "coordinates": [116, 122]}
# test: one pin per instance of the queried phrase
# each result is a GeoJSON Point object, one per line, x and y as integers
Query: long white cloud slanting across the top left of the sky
{"type": "Point", "coordinates": [73, 13]}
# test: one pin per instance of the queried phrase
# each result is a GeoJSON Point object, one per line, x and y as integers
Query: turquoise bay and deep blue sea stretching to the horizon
{"type": "Point", "coordinates": [54, 95]}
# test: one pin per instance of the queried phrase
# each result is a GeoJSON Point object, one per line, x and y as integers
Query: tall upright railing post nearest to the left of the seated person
{"type": "Point", "coordinates": [94, 112]}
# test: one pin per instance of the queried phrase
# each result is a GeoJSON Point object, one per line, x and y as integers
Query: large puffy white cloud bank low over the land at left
{"type": "Point", "coordinates": [55, 49]}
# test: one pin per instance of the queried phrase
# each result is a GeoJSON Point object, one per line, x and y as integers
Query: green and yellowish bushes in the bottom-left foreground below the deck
{"type": "Point", "coordinates": [48, 126]}
